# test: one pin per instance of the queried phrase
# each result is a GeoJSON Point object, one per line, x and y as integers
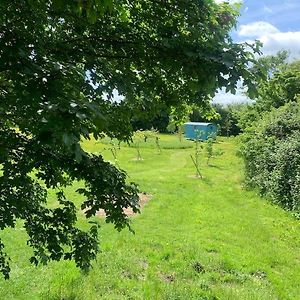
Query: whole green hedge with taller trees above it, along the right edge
{"type": "Point", "coordinates": [270, 142]}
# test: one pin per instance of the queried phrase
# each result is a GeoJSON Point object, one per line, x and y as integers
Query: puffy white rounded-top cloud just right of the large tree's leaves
{"type": "Point", "coordinates": [257, 29]}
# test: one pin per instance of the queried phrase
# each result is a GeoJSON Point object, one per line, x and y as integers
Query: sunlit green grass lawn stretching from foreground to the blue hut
{"type": "Point", "coordinates": [195, 239]}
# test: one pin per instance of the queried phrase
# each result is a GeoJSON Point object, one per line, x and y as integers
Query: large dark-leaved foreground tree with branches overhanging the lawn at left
{"type": "Point", "coordinates": [61, 62]}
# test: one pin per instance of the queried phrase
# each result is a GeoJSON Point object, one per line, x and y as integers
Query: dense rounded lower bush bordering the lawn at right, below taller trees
{"type": "Point", "coordinates": [271, 151]}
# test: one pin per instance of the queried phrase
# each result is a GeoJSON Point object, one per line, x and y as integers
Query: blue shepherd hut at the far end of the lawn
{"type": "Point", "coordinates": [202, 131]}
